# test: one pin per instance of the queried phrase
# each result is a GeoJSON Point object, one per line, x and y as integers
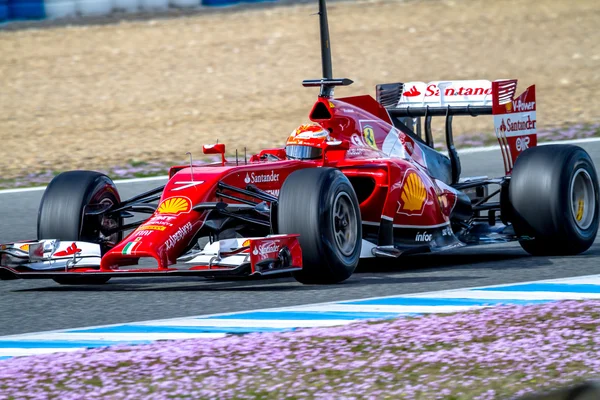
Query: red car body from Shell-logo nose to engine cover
{"type": "Point", "coordinates": [402, 190]}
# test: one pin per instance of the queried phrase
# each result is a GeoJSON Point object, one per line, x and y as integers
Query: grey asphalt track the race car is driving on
{"type": "Point", "coordinates": [39, 305]}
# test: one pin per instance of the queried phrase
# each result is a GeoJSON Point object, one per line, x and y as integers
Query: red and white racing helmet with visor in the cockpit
{"type": "Point", "coordinates": [306, 142]}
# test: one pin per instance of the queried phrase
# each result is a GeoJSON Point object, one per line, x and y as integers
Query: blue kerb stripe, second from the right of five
{"type": "Point", "coordinates": [426, 301]}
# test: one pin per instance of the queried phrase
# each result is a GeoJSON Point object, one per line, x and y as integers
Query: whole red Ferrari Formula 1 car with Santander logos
{"type": "Point", "coordinates": [362, 180]}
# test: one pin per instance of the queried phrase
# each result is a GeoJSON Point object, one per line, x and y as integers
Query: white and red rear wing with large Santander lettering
{"type": "Point", "coordinates": [514, 118]}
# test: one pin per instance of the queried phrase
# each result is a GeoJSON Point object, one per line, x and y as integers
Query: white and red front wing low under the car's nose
{"type": "Point", "coordinates": [47, 259]}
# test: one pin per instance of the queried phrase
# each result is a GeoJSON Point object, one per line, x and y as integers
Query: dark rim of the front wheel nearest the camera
{"type": "Point", "coordinates": [344, 224]}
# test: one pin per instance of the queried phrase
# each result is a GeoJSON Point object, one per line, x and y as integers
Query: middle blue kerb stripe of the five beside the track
{"type": "Point", "coordinates": [304, 315]}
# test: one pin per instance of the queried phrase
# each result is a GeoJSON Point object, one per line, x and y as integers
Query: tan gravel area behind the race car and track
{"type": "Point", "coordinates": [98, 96]}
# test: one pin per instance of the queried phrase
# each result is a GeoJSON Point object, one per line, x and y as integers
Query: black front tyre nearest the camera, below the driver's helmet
{"type": "Point", "coordinates": [321, 205]}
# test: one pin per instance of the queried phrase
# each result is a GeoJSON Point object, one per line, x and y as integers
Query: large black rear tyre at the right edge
{"type": "Point", "coordinates": [554, 197]}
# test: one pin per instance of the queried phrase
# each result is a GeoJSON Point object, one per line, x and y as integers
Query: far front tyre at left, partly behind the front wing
{"type": "Point", "coordinates": [61, 214]}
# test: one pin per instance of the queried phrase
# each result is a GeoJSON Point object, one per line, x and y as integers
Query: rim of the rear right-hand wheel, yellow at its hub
{"type": "Point", "coordinates": [583, 196]}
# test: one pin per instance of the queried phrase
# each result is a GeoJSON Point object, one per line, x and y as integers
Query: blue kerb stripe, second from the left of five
{"type": "Point", "coordinates": [176, 329]}
